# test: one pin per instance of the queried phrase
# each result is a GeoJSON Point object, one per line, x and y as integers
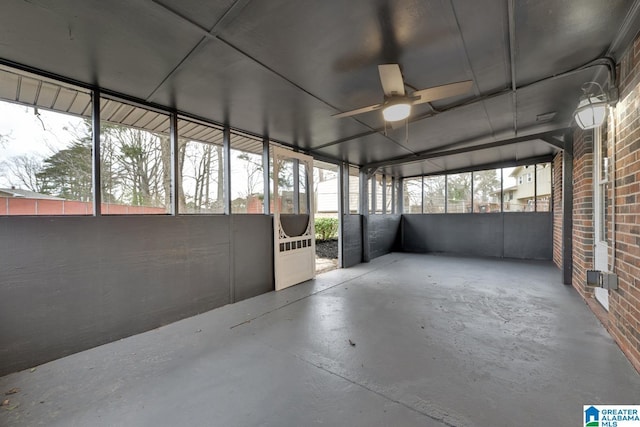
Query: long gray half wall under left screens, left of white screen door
{"type": "Point", "coordinates": [72, 283]}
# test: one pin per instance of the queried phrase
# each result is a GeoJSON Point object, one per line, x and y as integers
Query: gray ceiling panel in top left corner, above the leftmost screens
{"type": "Point", "coordinates": [125, 46]}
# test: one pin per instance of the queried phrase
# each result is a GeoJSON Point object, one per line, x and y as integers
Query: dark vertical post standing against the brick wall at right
{"type": "Point", "coordinates": [567, 210]}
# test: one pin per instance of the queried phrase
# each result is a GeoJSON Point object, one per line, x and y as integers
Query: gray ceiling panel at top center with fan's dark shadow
{"type": "Point", "coordinates": [333, 52]}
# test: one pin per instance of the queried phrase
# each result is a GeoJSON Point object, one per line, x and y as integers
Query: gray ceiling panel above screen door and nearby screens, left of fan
{"type": "Point", "coordinates": [218, 81]}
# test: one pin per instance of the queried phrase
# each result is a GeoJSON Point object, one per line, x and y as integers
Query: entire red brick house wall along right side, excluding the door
{"type": "Point", "coordinates": [622, 128]}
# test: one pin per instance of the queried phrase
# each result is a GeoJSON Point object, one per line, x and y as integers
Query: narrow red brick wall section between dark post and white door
{"type": "Point", "coordinates": [582, 210]}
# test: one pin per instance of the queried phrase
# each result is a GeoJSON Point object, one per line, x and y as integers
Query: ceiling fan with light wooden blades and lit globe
{"type": "Point", "coordinates": [397, 104]}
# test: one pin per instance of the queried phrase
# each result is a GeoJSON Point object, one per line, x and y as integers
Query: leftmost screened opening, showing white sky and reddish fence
{"type": "Point", "coordinates": [45, 146]}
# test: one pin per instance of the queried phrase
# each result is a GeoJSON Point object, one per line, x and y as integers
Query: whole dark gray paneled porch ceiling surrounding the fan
{"type": "Point", "coordinates": [281, 68]}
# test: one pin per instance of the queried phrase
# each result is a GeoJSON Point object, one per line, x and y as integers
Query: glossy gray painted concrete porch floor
{"type": "Point", "coordinates": [437, 341]}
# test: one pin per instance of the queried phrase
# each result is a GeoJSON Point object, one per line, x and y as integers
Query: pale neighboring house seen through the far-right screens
{"type": "Point", "coordinates": [520, 197]}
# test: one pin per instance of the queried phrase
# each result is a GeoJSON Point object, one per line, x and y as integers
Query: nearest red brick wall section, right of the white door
{"type": "Point", "coordinates": [624, 123]}
